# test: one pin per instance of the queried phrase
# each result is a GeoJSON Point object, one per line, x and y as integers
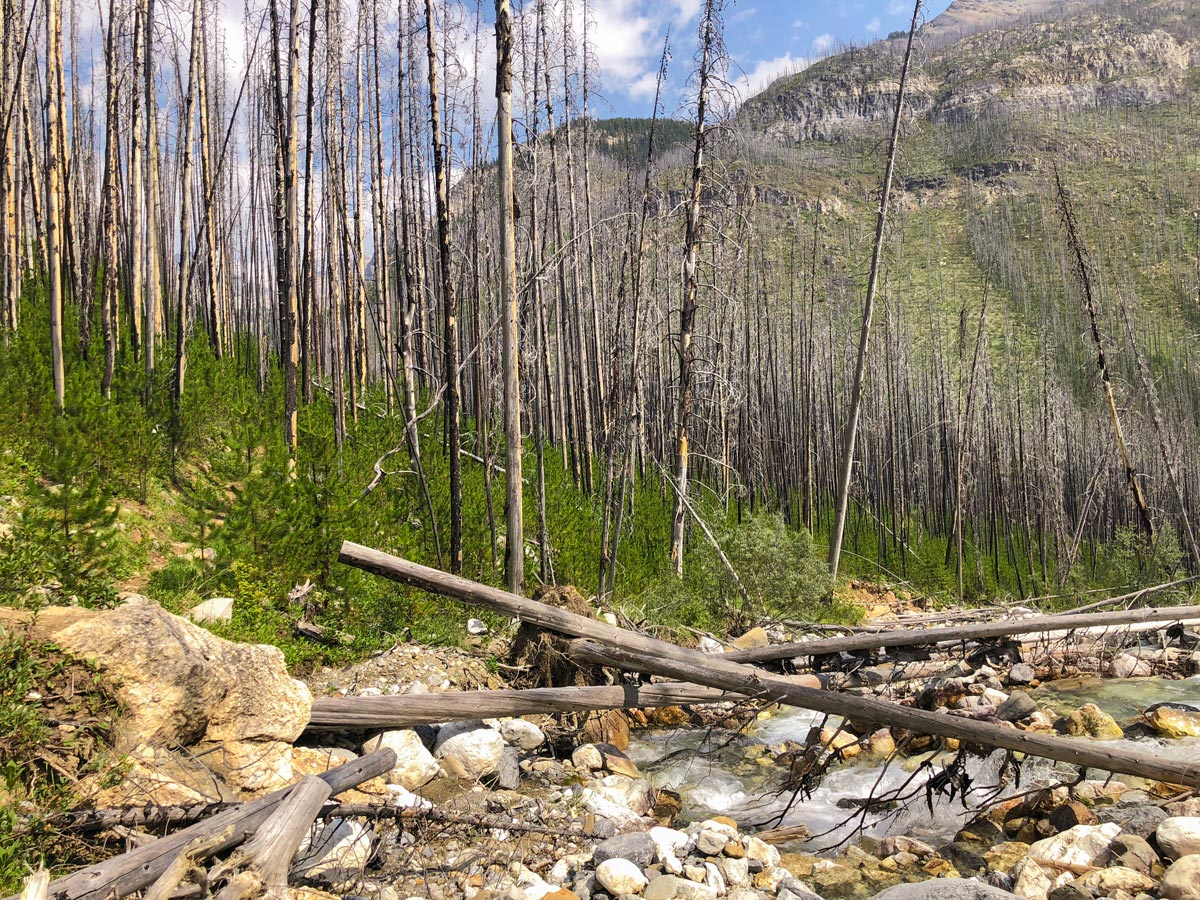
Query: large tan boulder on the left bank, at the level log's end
{"type": "Point", "coordinates": [182, 686]}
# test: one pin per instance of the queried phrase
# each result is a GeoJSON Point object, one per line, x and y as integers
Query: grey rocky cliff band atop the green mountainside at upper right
{"type": "Point", "coordinates": [1094, 58]}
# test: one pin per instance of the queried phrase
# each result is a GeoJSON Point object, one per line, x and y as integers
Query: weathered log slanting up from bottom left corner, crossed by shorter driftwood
{"type": "Point", "coordinates": [140, 869]}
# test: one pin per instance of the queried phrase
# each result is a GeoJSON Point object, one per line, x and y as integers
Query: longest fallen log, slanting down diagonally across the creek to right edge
{"type": "Point", "coordinates": [646, 655]}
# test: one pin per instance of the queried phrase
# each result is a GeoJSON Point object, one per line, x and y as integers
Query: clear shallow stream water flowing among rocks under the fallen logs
{"type": "Point", "coordinates": [715, 772]}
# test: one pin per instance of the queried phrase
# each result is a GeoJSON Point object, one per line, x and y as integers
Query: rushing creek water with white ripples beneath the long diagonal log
{"type": "Point", "coordinates": [719, 772]}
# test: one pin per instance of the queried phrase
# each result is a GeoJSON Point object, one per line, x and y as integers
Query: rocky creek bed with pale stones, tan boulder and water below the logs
{"type": "Point", "coordinates": [729, 801]}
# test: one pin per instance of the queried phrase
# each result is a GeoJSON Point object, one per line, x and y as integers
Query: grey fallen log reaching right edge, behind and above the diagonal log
{"type": "Point", "coordinates": [1064, 623]}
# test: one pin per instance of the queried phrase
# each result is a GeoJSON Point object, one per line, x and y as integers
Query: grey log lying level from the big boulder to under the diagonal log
{"type": "Point", "coordinates": [405, 711]}
